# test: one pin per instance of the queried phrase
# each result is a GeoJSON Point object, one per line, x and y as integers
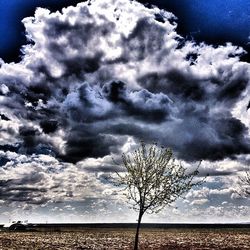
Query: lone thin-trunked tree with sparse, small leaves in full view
{"type": "Point", "coordinates": [153, 180]}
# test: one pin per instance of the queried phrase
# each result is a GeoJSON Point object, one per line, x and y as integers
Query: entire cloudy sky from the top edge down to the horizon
{"type": "Point", "coordinates": [81, 85]}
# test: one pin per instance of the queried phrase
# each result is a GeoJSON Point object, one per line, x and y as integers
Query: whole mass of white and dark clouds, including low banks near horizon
{"type": "Point", "coordinates": [95, 79]}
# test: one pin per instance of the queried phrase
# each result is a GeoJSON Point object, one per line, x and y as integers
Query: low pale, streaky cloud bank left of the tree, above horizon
{"type": "Point", "coordinates": [41, 179]}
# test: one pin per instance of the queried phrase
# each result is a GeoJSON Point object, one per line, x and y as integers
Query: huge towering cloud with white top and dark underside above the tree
{"type": "Point", "coordinates": [96, 74]}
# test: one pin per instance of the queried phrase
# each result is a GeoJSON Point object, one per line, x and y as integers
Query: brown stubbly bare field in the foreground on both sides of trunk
{"type": "Point", "coordinates": [109, 239]}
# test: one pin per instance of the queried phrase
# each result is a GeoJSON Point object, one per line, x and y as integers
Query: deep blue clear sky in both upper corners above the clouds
{"type": "Point", "coordinates": [214, 21]}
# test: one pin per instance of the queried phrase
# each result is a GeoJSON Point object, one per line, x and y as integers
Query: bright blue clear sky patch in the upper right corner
{"type": "Point", "coordinates": [214, 21]}
